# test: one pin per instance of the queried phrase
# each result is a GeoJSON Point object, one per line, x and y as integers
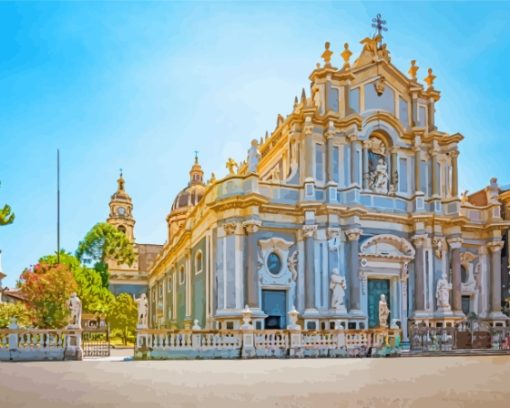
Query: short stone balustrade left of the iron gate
{"type": "Point", "coordinates": [18, 344]}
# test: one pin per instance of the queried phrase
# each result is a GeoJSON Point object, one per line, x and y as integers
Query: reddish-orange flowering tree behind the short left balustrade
{"type": "Point", "coordinates": [47, 289]}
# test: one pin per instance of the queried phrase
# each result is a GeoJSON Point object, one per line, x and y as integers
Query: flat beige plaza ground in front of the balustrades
{"type": "Point", "coordinates": [390, 382]}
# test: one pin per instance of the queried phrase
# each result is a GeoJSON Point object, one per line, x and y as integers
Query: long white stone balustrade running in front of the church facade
{"type": "Point", "coordinates": [250, 343]}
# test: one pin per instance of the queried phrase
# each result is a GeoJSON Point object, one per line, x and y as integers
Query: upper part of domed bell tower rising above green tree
{"type": "Point", "coordinates": [121, 210]}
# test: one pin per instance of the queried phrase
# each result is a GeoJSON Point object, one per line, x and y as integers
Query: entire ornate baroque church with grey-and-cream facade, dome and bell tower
{"type": "Point", "coordinates": [354, 195]}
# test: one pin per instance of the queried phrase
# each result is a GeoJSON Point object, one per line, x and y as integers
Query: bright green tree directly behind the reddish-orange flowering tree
{"type": "Point", "coordinates": [94, 296]}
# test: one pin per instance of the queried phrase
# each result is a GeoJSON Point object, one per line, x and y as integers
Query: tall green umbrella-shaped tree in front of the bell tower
{"type": "Point", "coordinates": [102, 243]}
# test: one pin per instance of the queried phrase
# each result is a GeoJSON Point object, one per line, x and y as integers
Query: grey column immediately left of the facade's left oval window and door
{"type": "Point", "coordinates": [251, 283]}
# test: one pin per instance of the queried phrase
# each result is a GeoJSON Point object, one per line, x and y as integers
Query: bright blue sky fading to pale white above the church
{"type": "Point", "coordinates": [142, 85]}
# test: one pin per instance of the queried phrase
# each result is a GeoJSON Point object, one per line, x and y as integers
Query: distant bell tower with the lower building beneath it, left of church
{"type": "Point", "coordinates": [124, 278]}
